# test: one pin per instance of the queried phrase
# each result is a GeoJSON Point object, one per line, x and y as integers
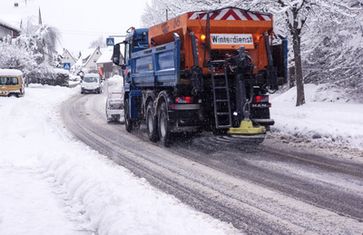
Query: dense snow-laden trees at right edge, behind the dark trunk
{"type": "Point", "coordinates": [333, 50]}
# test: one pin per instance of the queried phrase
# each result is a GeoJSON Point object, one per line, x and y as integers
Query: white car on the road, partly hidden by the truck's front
{"type": "Point", "coordinates": [115, 107]}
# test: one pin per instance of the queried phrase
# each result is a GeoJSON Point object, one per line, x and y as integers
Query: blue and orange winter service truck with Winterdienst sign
{"type": "Point", "coordinates": [202, 71]}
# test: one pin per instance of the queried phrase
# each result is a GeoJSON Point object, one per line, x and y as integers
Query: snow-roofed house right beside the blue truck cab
{"type": "Point", "coordinates": [105, 66]}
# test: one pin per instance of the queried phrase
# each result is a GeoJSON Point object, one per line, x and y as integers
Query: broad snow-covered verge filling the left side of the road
{"type": "Point", "coordinates": [52, 184]}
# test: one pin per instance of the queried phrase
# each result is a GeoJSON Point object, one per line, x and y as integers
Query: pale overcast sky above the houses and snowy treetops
{"type": "Point", "coordinates": [79, 21]}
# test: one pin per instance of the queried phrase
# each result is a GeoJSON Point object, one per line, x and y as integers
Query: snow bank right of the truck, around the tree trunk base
{"type": "Point", "coordinates": [328, 116]}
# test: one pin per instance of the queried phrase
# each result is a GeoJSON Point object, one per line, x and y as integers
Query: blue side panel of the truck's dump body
{"type": "Point", "coordinates": [156, 67]}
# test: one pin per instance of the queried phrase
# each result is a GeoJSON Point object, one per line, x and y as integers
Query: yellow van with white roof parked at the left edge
{"type": "Point", "coordinates": [11, 83]}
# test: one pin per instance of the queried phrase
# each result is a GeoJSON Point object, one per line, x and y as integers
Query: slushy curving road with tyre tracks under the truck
{"type": "Point", "coordinates": [267, 189]}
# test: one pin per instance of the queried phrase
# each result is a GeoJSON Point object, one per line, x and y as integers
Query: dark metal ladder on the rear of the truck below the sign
{"type": "Point", "coordinates": [221, 98]}
